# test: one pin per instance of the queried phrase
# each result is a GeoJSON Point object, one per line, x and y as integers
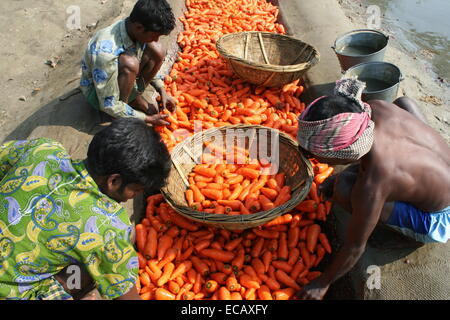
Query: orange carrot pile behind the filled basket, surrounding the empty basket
{"type": "Point", "coordinates": [209, 94]}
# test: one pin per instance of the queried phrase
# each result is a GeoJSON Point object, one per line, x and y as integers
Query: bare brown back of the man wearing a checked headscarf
{"type": "Point", "coordinates": [409, 160]}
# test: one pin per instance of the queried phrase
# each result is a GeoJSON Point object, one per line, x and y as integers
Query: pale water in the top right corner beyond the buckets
{"type": "Point", "coordinates": [424, 25]}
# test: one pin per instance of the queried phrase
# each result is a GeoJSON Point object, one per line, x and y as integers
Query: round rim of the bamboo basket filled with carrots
{"type": "Point", "coordinates": [240, 221]}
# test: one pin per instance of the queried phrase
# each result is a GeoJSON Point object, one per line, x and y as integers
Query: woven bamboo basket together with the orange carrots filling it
{"type": "Point", "coordinates": [237, 177]}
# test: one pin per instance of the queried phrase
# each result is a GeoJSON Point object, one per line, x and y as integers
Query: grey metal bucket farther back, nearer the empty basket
{"type": "Point", "coordinates": [358, 46]}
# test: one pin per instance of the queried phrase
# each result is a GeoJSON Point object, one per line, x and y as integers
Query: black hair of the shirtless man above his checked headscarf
{"type": "Point", "coordinates": [330, 106]}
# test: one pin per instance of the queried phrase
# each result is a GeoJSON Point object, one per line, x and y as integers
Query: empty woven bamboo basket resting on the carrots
{"type": "Point", "coordinates": [265, 58]}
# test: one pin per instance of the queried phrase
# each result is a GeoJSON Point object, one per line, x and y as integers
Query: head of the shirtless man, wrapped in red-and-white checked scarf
{"type": "Point", "coordinates": [333, 130]}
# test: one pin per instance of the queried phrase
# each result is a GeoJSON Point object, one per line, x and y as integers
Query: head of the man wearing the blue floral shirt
{"type": "Point", "coordinates": [151, 19]}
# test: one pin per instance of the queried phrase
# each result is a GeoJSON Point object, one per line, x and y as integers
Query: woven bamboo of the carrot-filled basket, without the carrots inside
{"type": "Point", "coordinates": [187, 154]}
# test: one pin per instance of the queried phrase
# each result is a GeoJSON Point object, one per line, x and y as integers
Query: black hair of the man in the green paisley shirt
{"type": "Point", "coordinates": [134, 150]}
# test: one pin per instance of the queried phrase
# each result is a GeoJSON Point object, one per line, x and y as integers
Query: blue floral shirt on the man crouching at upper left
{"type": "Point", "coordinates": [100, 69]}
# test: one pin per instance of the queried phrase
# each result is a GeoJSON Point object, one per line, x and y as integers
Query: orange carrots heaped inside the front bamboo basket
{"type": "Point", "coordinates": [234, 189]}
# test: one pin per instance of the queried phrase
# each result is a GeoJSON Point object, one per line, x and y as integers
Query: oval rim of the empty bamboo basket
{"type": "Point", "coordinates": [265, 67]}
